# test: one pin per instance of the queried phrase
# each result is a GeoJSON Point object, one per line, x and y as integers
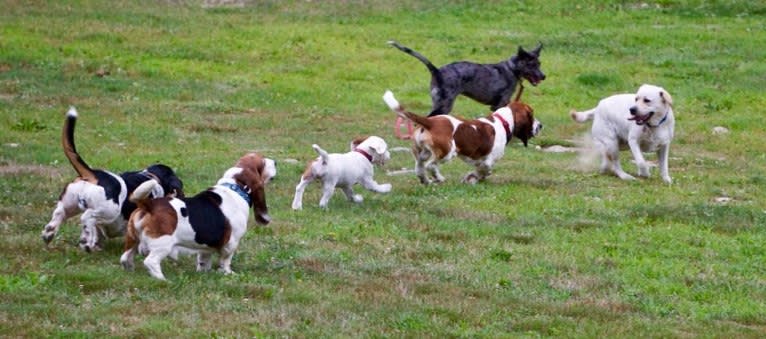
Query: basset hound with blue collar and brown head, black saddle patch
{"type": "Point", "coordinates": [213, 221]}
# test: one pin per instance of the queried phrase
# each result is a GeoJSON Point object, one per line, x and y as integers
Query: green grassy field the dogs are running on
{"type": "Point", "coordinates": [546, 247]}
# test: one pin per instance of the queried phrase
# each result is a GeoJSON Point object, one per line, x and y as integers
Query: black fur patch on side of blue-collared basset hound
{"type": "Point", "coordinates": [207, 219]}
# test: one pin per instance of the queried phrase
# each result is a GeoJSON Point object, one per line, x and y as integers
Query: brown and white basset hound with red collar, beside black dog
{"type": "Point", "coordinates": [480, 142]}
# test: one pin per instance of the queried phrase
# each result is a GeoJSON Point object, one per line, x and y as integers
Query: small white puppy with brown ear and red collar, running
{"type": "Point", "coordinates": [345, 170]}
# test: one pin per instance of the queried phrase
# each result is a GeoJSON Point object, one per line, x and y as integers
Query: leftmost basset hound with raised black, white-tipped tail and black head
{"type": "Point", "coordinates": [101, 195]}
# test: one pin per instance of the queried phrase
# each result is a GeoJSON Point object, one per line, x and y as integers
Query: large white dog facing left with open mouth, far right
{"type": "Point", "coordinates": [643, 121]}
